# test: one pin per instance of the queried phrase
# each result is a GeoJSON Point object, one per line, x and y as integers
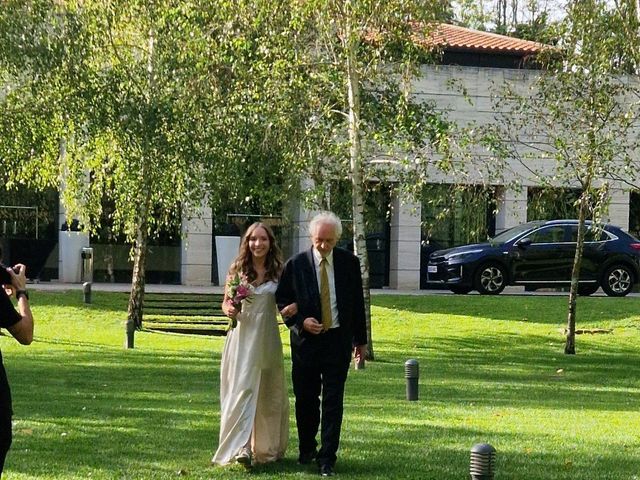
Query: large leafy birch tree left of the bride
{"type": "Point", "coordinates": [147, 99]}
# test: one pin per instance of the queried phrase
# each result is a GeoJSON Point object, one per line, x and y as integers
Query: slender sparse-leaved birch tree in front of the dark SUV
{"type": "Point", "coordinates": [577, 124]}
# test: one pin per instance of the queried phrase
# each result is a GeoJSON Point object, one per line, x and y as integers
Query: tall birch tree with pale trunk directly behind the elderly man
{"type": "Point", "coordinates": [361, 56]}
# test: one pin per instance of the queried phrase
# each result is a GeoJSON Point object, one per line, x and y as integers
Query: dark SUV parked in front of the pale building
{"type": "Point", "coordinates": [540, 254]}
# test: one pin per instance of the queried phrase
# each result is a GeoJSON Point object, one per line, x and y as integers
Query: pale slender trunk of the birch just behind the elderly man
{"type": "Point", "coordinates": [357, 181]}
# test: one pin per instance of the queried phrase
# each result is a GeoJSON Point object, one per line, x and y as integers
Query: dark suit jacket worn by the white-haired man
{"type": "Point", "coordinates": [299, 284]}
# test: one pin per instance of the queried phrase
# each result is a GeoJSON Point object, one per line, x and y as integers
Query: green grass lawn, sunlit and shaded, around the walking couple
{"type": "Point", "coordinates": [491, 370]}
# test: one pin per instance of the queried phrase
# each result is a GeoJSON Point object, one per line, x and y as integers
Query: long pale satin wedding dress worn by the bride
{"type": "Point", "coordinates": [253, 394]}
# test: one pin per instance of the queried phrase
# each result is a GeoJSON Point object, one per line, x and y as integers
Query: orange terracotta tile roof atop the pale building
{"type": "Point", "coordinates": [453, 37]}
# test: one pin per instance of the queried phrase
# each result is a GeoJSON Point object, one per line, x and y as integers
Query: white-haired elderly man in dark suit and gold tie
{"type": "Point", "coordinates": [326, 284]}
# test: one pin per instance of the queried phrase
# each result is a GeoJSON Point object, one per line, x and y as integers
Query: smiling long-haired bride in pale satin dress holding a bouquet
{"type": "Point", "coordinates": [254, 415]}
